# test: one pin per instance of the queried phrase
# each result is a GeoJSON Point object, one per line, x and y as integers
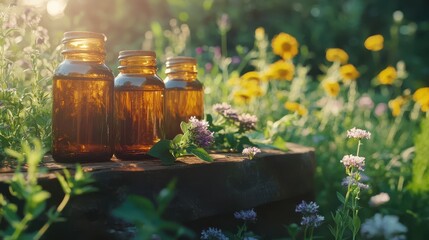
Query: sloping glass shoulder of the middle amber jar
{"type": "Point", "coordinates": [138, 82]}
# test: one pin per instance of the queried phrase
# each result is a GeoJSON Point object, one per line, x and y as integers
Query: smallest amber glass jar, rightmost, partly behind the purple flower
{"type": "Point", "coordinates": [183, 94]}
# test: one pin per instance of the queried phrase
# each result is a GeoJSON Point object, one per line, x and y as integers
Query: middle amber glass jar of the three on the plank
{"type": "Point", "coordinates": [139, 105]}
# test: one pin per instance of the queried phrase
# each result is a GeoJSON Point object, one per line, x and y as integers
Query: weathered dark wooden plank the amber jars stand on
{"type": "Point", "coordinates": [203, 189]}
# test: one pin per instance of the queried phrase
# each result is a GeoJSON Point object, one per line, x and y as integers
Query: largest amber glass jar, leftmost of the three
{"type": "Point", "coordinates": [82, 112]}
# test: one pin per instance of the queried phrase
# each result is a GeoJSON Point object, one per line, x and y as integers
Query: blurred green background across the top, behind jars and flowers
{"type": "Point", "coordinates": [319, 24]}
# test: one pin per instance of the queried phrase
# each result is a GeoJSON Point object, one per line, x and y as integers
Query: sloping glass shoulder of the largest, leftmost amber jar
{"type": "Point", "coordinates": [71, 69]}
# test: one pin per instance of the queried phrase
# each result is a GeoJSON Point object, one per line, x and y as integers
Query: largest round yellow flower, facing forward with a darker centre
{"type": "Point", "coordinates": [285, 45]}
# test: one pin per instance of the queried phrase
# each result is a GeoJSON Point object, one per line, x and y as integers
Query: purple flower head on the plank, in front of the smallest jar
{"type": "Point", "coordinates": [200, 135]}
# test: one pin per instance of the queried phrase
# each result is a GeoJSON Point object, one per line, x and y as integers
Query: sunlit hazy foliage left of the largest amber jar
{"type": "Point", "coordinates": [26, 64]}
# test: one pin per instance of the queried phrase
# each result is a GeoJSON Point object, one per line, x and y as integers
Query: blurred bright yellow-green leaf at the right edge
{"type": "Point", "coordinates": [420, 180]}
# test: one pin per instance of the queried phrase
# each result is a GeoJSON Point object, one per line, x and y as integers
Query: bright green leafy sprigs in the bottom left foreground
{"type": "Point", "coordinates": [24, 187]}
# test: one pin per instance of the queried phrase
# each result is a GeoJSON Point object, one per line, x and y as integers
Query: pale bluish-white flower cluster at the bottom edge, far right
{"type": "Point", "coordinates": [387, 226]}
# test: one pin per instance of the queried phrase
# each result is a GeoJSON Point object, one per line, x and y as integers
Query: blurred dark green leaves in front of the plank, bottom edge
{"type": "Point", "coordinates": [147, 216]}
